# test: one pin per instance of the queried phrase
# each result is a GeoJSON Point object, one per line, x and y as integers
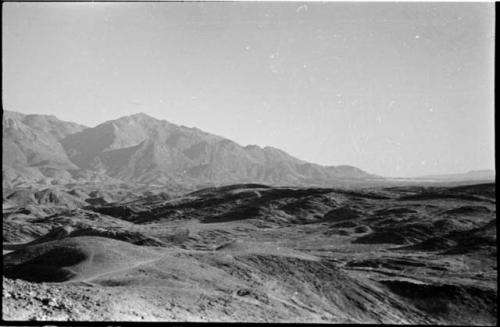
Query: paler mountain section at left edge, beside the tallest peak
{"type": "Point", "coordinates": [32, 152]}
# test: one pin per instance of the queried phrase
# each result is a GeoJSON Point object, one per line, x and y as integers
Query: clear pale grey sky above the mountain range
{"type": "Point", "coordinates": [396, 89]}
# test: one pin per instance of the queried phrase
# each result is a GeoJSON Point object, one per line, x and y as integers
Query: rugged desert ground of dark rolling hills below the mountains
{"type": "Point", "coordinates": [251, 253]}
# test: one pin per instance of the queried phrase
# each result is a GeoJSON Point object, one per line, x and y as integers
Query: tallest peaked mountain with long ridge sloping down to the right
{"type": "Point", "coordinates": [142, 149]}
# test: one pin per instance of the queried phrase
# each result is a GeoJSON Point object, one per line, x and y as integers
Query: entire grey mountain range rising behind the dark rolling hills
{"type": "Point", "coordinates": [142, 149]}
